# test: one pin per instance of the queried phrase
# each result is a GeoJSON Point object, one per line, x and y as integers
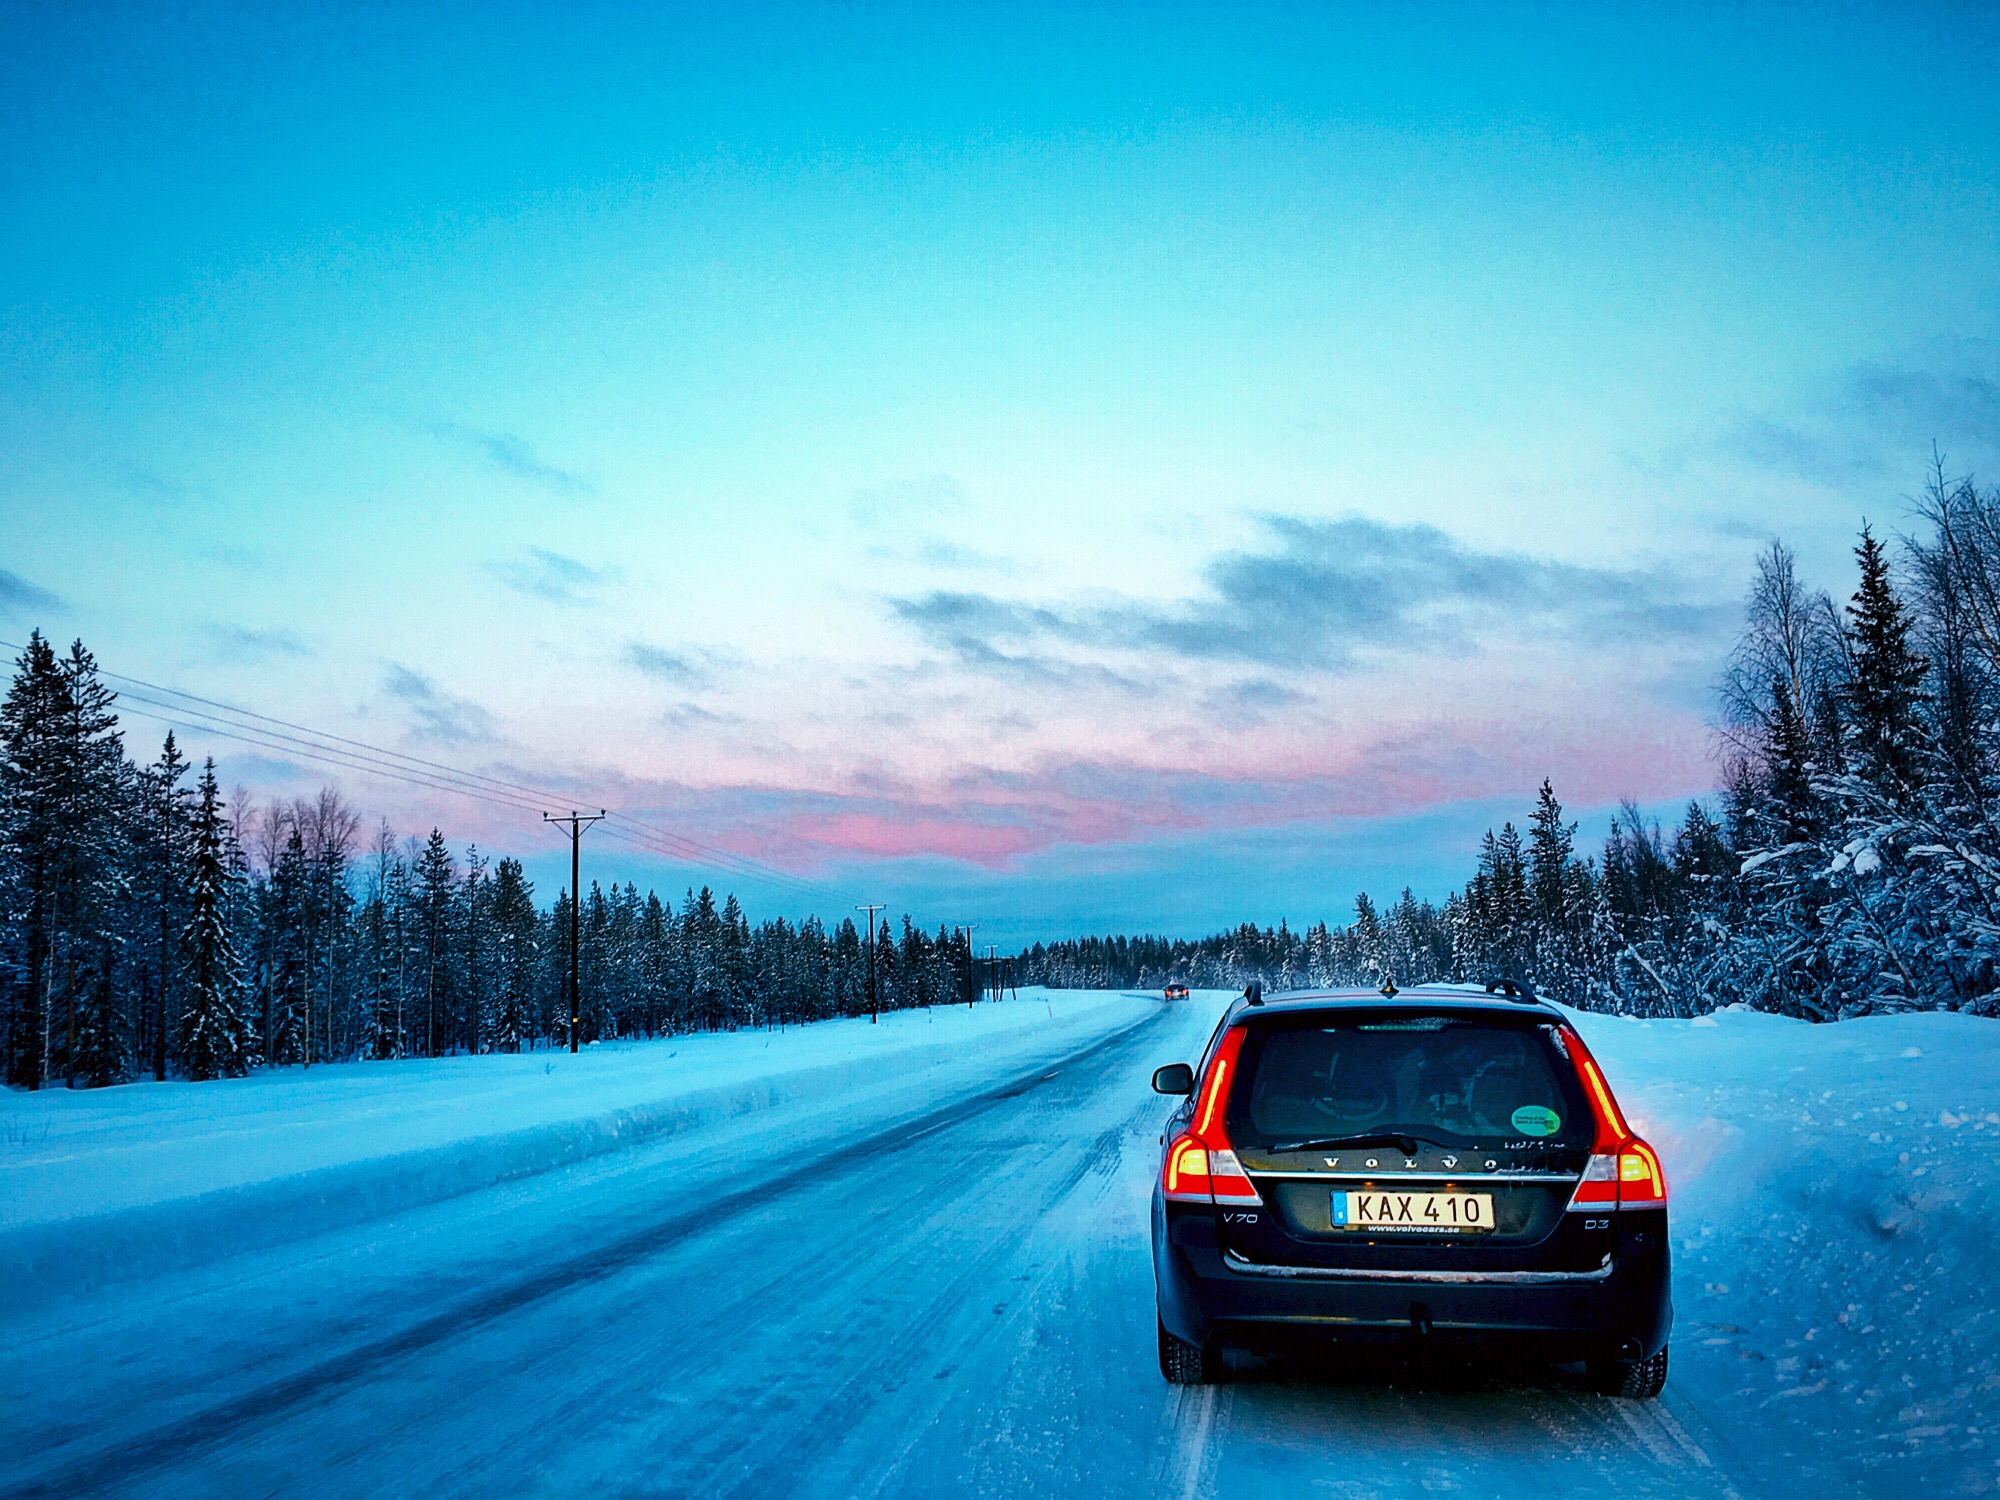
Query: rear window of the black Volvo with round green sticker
{"type": "Point", "coordinates": [1453, 1081]}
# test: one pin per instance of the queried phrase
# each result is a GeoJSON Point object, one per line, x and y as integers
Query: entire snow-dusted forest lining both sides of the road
{"type": "Point", "coordinates": [1849, 865]}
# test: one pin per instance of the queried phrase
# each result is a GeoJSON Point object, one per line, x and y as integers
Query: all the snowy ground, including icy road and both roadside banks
{"type": "Point", "coordinates": [919, 1267]}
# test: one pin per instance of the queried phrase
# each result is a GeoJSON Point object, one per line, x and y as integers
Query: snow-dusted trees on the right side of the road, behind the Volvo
{"type": "Point", "coordinates": [1849, 863]}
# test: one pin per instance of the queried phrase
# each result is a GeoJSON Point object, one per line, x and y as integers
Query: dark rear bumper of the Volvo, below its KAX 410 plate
{"type": "Point", "coordinates": [1619, 1311]}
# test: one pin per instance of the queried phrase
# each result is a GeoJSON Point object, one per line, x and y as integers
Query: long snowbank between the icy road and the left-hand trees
{"type": "Point", "coordinates": [105, 1185]}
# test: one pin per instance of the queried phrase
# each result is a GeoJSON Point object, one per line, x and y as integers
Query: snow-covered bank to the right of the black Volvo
{"type": "Point", "coordinates": [1837, 1235]}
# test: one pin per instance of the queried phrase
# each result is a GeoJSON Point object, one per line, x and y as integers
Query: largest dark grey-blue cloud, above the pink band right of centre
{"type": "Point", "coordinates": [1323, 597]}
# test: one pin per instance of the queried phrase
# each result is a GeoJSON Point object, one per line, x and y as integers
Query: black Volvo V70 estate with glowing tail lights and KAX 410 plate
{"type": "Point", "coordinates": [1441, 1167]}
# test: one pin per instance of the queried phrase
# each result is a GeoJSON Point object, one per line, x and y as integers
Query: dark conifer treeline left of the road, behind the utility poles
{"type": "Point", "coordinates": [151, 927]}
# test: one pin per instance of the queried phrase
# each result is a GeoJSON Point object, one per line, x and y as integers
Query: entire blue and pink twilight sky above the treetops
{"type": "Point", "coordinates": [1063, 469]}
